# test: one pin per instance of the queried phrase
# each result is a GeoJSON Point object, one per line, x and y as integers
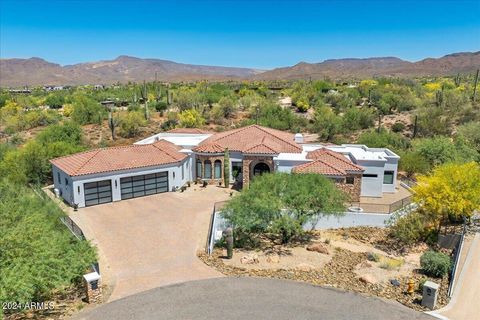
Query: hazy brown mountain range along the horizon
{"type": "Point", "coordinates": [36, 71]}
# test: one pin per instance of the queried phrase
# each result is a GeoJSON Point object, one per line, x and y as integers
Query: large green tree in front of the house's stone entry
{"type": "Point", "coordinates": [280, 204]}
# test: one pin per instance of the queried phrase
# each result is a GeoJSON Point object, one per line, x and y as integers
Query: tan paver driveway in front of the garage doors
{"type": "Point", "coordinates": [151, 241]}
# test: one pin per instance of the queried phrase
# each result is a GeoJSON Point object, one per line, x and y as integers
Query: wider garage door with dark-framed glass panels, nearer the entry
{"type": "Point", "coordinates": [144, 185]}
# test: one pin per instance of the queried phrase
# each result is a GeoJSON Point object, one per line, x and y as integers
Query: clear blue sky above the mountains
{"type": "Point", "coordinates": [260, 34]}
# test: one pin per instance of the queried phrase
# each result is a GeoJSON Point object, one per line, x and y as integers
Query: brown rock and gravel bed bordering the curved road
{"type": "Point", "coordinates": [339, 272]}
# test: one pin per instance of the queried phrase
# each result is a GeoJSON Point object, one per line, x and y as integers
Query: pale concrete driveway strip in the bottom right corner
{"type": "Point", "coordinates": [465, 301]}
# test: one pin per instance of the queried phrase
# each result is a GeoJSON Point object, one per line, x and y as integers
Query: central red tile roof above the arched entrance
{"type": "Point", "coordinates": [256, 139]}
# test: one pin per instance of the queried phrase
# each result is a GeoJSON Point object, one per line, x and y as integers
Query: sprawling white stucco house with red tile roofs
{"type": "Point", "coordinates": [168, 160]}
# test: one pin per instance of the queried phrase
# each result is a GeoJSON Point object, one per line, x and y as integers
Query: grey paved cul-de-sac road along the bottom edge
{"type": "Point", "coordinates": [250, 298]}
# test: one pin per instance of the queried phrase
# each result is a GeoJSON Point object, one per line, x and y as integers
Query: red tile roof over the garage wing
{"type": "Point", "coordinates": [119, 158]}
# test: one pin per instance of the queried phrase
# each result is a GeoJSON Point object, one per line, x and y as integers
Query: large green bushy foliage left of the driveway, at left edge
{"type": "Point", "coordinates": [39, 254]}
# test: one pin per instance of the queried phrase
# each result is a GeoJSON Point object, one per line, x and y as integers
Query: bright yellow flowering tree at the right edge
{"type": "Point", "coordinates": [452, 190]}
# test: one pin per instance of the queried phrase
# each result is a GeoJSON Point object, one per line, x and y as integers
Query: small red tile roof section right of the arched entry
{"type": "Point", "coordinates": [328, 162]}
